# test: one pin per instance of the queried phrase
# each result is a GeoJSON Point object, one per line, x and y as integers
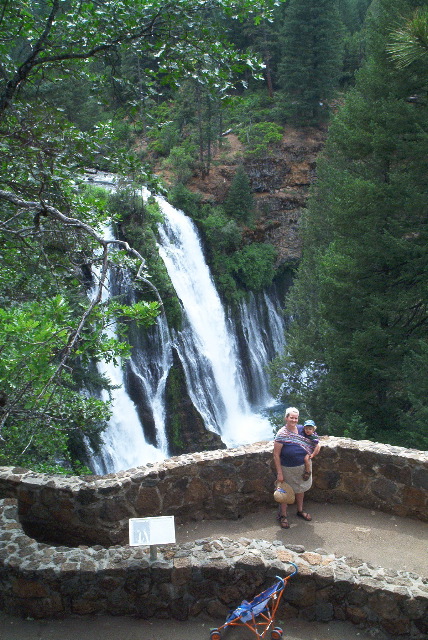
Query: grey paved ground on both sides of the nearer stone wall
{"type": "Point", "coordinates": [378, 538]}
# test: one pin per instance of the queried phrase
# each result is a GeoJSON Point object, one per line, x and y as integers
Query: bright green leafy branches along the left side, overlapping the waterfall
{"type": "Point", "coordinates": [58, 76]}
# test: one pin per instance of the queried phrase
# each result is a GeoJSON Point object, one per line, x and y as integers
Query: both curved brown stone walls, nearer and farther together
{"type": "Point", "coordinates": [99, 573]}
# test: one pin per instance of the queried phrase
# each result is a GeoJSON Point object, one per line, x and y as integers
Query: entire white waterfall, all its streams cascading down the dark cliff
{"type": "Point", "coordinates": [223, 354]}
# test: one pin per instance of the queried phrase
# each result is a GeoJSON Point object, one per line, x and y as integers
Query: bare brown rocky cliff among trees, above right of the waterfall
{"type": "Point", "coordinates": [280, 183]}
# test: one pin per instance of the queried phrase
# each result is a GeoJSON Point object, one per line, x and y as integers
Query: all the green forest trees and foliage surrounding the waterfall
{"type": "Point", "coordinates": [125, 86]}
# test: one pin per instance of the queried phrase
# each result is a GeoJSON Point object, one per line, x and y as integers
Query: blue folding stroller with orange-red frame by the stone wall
{"type": "Point", "coordinates": [263, 607]}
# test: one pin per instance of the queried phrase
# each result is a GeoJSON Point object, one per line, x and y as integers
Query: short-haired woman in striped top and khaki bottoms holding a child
{"type": "Point", "coordinates": [289, 450]}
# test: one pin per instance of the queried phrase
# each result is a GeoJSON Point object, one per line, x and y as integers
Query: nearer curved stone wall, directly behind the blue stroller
{"type": "Point", "coordinates": [209, 576]}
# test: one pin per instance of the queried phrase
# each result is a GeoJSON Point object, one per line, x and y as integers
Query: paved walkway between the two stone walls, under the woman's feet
{"type": "Point", "coordinates": [380, 538]}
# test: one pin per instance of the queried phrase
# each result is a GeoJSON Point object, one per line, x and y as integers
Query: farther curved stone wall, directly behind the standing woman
{"type": "Point", "coordinates": [216, 484]}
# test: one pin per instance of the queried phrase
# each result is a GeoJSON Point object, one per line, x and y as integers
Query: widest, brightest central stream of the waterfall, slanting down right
{"type": "Point", "coordinates": [206, 345]}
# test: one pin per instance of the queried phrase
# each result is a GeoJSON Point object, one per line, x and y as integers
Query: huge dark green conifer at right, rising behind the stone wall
{"type": "Point", "coordinates": [360, 299]}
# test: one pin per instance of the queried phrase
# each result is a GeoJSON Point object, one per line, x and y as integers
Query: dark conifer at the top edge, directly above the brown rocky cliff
{"type": "Point", "coordinates": [312, 55]}
